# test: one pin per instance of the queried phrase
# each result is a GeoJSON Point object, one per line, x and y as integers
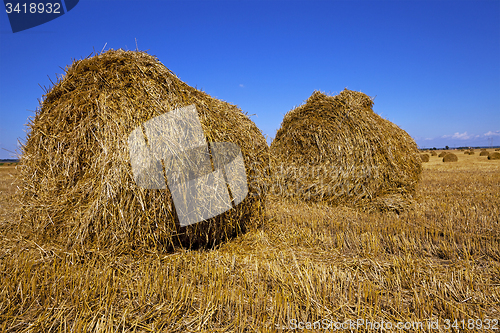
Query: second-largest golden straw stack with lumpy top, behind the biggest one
{"type": "Point", "coordinates": [337, 150]}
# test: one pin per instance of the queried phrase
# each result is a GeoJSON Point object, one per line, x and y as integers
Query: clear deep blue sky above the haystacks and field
{"type": "Point", "coordinates": [432, 66]}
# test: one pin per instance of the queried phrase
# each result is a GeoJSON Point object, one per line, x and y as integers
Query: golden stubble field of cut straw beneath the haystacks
{"type": "Point", "coordinates": [308, 263]}
